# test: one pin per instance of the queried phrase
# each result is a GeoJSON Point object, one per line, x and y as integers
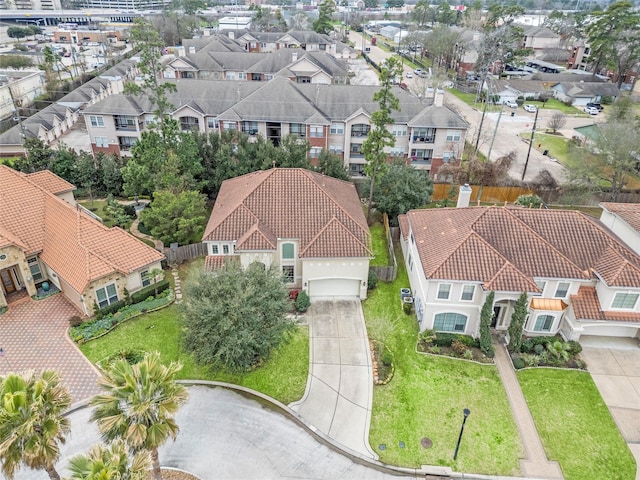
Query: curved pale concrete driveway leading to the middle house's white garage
{"type": "Point", "coordinates": [339, 391]}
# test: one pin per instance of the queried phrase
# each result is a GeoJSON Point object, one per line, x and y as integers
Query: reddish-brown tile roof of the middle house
{"type": "Point", "coordinates": [322, 213]}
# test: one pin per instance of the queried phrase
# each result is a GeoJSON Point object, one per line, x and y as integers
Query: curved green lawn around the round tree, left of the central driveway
{"type": "Point", "coordinates": [283, 377]}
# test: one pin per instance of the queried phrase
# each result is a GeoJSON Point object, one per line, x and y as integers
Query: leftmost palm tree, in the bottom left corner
{"type": "Point", "coordinates": [31, 423]}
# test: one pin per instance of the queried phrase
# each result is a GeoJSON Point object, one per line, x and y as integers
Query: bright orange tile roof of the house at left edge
{"type": "Point", "coordinates": [77, 247]}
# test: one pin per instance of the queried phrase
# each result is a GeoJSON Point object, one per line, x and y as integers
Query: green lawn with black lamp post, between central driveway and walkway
{"type": "Point", "coordinates": [426, 397]}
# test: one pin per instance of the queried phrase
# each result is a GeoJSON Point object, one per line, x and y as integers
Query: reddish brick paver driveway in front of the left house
{"type": "Point", "coordinates": [33, 336]}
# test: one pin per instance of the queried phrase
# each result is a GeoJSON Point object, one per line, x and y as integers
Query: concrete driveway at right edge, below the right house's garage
{"type": "Point", "coordinates": [614, 365]}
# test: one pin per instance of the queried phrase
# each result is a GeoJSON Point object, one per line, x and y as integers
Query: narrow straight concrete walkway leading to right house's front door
{"type": "Point", "coordinates": [536, 464]}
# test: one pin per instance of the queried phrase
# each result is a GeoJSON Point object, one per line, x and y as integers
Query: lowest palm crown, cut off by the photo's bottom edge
{"type": "Point", "coordinates": [110, 462]}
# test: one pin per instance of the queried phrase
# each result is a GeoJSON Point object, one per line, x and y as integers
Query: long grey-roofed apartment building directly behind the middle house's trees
{"type": "Point", "coordinates": [330, 117]}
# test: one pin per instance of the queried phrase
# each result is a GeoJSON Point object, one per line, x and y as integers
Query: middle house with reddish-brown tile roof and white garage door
{"type": "Point", "coordinates": [310, 226]}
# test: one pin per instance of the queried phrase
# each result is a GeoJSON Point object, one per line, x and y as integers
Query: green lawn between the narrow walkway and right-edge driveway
{"type": "Point", "coordinates": [575, 425]}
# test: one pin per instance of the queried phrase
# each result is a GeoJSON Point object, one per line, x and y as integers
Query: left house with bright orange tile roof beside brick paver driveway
{"type": "Point", "coordinates": [46, 237]}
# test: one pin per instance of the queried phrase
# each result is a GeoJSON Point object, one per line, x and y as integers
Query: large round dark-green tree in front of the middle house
{"type": "Point", "coordinates": [234, 318]}
